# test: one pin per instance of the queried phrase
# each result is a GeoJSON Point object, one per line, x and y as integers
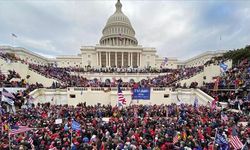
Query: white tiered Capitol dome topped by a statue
{"type": "Point", "coordinates": [118, 30]}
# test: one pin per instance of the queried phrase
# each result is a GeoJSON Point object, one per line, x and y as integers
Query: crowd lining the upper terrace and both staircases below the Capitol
{"type": "Point", "coordinates": [66, 77]}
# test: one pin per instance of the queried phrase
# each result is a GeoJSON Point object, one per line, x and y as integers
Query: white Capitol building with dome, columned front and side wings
{"type": "Point", "coordinates": [118, 47]}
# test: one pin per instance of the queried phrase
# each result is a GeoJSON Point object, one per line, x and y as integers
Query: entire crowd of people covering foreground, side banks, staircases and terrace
{"type": "Point", "coordinates": [158, 127]}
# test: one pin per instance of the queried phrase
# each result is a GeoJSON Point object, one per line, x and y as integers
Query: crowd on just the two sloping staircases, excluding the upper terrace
{"type": "Point", "coordinates": [64, 75]}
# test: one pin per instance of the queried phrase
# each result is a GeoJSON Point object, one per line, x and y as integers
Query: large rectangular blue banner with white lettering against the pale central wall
{"type": "Point", "coordinates": [141, 93]}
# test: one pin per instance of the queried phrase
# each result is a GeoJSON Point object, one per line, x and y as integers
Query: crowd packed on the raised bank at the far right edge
{"type": "Point", "coordinates": [232, 87]}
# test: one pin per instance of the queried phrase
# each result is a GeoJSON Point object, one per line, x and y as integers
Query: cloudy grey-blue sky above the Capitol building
{"type": "Point", "coordinates": [179, 29]}
